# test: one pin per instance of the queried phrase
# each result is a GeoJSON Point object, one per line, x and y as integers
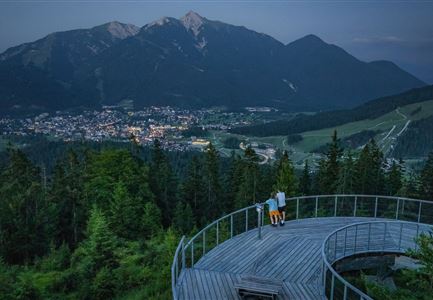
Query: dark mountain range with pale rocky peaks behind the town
{"type": "Point", "coordinates": [189, 62]}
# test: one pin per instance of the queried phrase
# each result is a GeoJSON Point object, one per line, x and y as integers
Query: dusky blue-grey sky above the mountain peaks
{"type": "Point", "coordinates": [400, 31]}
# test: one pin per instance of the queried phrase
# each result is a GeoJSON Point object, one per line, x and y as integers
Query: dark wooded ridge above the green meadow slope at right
{"type": "Point", "coordinates": [369, 110]}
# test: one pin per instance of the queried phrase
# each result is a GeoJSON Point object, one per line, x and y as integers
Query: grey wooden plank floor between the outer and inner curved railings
{"type": "Point", "coordinates": [290, 253]}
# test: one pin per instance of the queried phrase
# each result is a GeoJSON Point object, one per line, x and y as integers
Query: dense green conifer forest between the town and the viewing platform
{"type": "Point", "coordinates": [102, 222]}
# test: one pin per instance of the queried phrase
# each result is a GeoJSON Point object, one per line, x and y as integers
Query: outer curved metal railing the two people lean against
{"type": "Point", "coordinates": [249, 219]}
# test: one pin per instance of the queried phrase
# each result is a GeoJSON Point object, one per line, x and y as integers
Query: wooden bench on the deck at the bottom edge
{"type": "Point", "coordinates": [254, 287]}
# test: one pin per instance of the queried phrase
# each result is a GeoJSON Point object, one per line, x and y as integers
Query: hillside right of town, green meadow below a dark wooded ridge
{"type": "Point", "coordinates": [401, 125]}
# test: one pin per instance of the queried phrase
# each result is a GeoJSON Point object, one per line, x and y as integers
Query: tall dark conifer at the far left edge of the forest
{"type": "Point", "coordinates": [23, 211]}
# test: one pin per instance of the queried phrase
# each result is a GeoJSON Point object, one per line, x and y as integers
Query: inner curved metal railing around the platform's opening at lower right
{"type": "Point", "coordinates": [364, 238]}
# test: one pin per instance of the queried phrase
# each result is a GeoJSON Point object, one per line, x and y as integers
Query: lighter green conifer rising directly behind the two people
{"type": "Point", "coordinates": [286, 180]}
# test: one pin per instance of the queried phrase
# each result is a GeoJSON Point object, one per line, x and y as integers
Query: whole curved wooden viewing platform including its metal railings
{"type": "Point", "coordinates": [240, 252]}
